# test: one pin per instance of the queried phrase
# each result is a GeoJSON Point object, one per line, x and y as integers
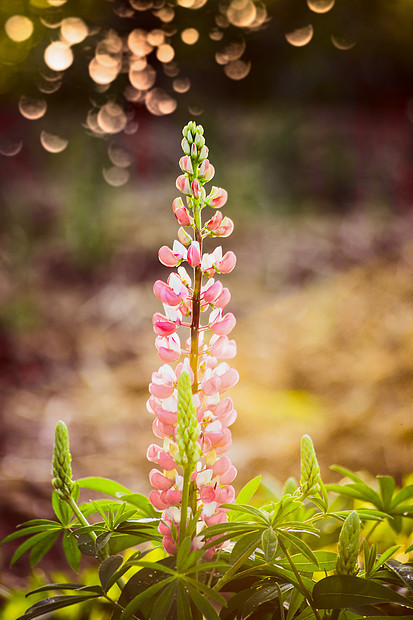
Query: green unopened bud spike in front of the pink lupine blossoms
{"type": "Point", "coordinates": [187, 427]}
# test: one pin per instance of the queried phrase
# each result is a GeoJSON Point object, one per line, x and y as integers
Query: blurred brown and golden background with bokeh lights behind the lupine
{"type": "Point", "coordinates": [308, 112]}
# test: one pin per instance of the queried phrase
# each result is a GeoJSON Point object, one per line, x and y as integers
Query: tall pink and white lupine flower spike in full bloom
{"type": "Point", "coordinates": [191, 414]}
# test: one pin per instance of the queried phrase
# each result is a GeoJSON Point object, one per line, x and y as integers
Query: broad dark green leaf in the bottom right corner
{"type": "Point", "coordinates": [344, 591]}
